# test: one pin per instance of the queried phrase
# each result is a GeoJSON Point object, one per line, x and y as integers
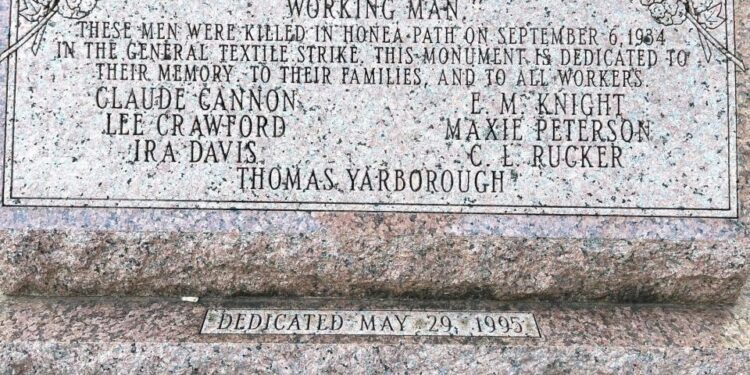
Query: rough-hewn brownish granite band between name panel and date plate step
{"type": "Point", "coordinates": [82, 263]}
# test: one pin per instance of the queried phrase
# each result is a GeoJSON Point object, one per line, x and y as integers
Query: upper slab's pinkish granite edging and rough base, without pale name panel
{"type": "Point", "coordinates": [79, 252]}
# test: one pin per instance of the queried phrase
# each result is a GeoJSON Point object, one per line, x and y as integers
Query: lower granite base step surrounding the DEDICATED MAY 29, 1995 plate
{"type": "Point", "coordinates": [156, 336]}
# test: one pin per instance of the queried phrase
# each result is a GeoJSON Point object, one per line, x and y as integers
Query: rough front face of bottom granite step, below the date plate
{"type": "Point", "coordinates": [96, 358]}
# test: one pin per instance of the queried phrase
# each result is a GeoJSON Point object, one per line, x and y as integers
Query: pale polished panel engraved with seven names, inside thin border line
{"type": "Point", "coordinates": [534, 107]}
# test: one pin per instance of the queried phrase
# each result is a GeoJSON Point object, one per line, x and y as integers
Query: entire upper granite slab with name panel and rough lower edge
{"type": "Point", "coordinates": [552, 149]}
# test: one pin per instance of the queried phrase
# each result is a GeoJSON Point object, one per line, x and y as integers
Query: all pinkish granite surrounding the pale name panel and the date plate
{"type": "Point", "coordinates": [121, 254]}
